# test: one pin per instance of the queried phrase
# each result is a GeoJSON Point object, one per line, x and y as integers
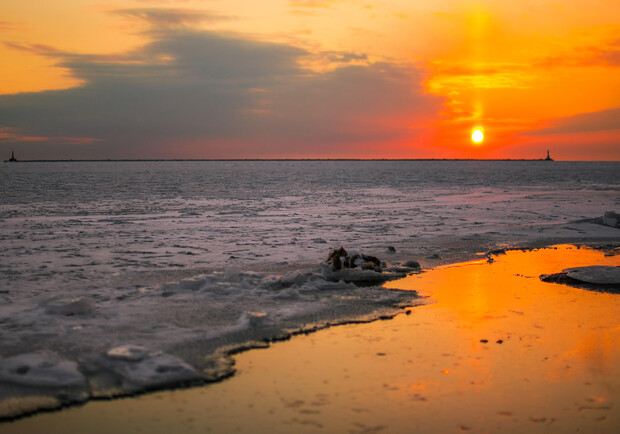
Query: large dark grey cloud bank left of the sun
{"type": "Point", "coordinates": [202, 94]}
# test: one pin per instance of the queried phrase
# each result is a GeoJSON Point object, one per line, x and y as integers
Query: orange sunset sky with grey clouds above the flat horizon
{"type": "Point", "coordinates": [309, 79]}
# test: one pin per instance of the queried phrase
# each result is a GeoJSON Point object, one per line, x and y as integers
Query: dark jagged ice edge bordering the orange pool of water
{"type": "Point", "coordinates": [224, 357]}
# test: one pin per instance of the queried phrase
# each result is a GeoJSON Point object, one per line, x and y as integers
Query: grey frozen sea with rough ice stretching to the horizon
{"type": "Point", "coordinates": [117, 277]}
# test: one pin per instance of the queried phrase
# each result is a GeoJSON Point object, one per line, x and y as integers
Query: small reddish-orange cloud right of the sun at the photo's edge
{"type": "Point", "coordinates": [604, 120]}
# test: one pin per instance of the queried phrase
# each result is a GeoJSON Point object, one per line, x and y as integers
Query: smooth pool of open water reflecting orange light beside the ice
{"type": "Point", "coordinates": [498, 350]}
